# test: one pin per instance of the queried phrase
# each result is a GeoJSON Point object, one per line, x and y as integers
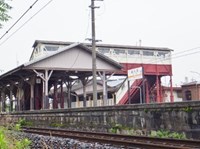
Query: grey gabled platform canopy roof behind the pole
{"type": "Point", "coordinates": [75, 59]}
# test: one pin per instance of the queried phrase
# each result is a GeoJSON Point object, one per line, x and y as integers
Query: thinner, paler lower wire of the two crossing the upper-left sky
{"type": "Point", "coordinates": [26, 22]}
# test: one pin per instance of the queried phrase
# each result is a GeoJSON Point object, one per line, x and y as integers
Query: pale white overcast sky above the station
{"type": "Point", "coordinates": [174, 24]}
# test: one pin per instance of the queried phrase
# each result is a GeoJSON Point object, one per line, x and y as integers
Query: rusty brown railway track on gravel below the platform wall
{"type": "Point", "coordinates": [117, 139]}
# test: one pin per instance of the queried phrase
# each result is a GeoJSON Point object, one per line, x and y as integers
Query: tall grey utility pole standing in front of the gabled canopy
{"type": "Point", "coordinates": [94, 54]}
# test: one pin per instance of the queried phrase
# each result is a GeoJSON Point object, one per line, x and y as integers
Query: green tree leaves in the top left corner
{"type": "Point", "coordinates": [4, 8]}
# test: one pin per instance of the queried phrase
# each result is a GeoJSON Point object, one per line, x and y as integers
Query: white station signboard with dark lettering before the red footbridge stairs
{"type": "Point", "coordinates": [136, 73]}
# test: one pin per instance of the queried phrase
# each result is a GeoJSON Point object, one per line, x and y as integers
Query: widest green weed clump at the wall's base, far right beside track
{"type": "Point", "coordinates": [167, 134]}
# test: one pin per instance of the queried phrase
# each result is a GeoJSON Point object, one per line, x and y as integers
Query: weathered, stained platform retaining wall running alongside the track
{"type": "Point", "coordinates": [179, 117]}
